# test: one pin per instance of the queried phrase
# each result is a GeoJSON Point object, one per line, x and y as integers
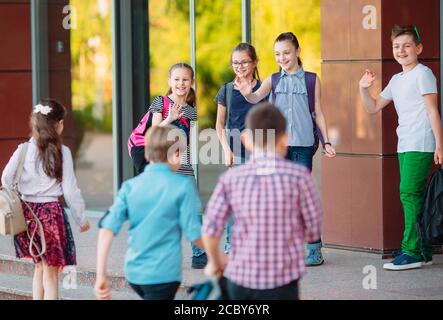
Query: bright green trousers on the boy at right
{"type": "Point", "coordinates": [414, 169]}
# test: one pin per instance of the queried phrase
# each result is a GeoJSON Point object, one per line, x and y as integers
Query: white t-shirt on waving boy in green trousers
{"type": "Point", "coordinates": [414, 129]}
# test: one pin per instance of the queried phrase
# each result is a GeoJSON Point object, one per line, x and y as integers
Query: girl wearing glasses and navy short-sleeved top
{"type": "Point", "coordinates": [232, 109]}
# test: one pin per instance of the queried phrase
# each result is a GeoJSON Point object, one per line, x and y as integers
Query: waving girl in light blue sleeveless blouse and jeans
{"type": "Point", "coordinates": [296, 94]}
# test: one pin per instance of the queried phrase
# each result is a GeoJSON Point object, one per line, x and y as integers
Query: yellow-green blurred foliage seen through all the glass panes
{"type": "Point", "coordinates": [218, 24]}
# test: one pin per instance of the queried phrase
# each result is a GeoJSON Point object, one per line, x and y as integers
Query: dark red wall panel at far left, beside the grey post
{"type": "Point", "coordinates": [15, 75]}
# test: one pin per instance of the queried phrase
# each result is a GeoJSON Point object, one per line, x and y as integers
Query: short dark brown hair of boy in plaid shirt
{"type": "Point", "coordinates": [265, 117]}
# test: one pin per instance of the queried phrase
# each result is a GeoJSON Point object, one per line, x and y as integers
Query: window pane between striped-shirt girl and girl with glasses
{"type": "Point", "coordinates": [218, 24]}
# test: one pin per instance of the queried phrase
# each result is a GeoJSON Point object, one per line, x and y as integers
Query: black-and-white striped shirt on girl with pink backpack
{"type": "Point", "coordinates": [190, 116]}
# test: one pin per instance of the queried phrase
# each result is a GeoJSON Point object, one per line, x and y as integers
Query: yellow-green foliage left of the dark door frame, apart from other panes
{"type": "Point", "coordinates": [91, 56]}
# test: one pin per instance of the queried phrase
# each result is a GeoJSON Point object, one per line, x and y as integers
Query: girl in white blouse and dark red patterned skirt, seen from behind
{"type": "Point", "coordinates": [48, 174]}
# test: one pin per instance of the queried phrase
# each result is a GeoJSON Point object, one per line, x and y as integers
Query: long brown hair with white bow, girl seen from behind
{"type": "Point", "coordinates": [47, 139]}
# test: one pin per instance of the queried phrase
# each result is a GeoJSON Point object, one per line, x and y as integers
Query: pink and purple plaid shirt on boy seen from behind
{"type": "Point", "coordinates": [275, 210]}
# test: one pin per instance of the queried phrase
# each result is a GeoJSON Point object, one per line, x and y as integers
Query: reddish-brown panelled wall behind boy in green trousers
{"type": "Point", "coordinates": [364, 210]}
